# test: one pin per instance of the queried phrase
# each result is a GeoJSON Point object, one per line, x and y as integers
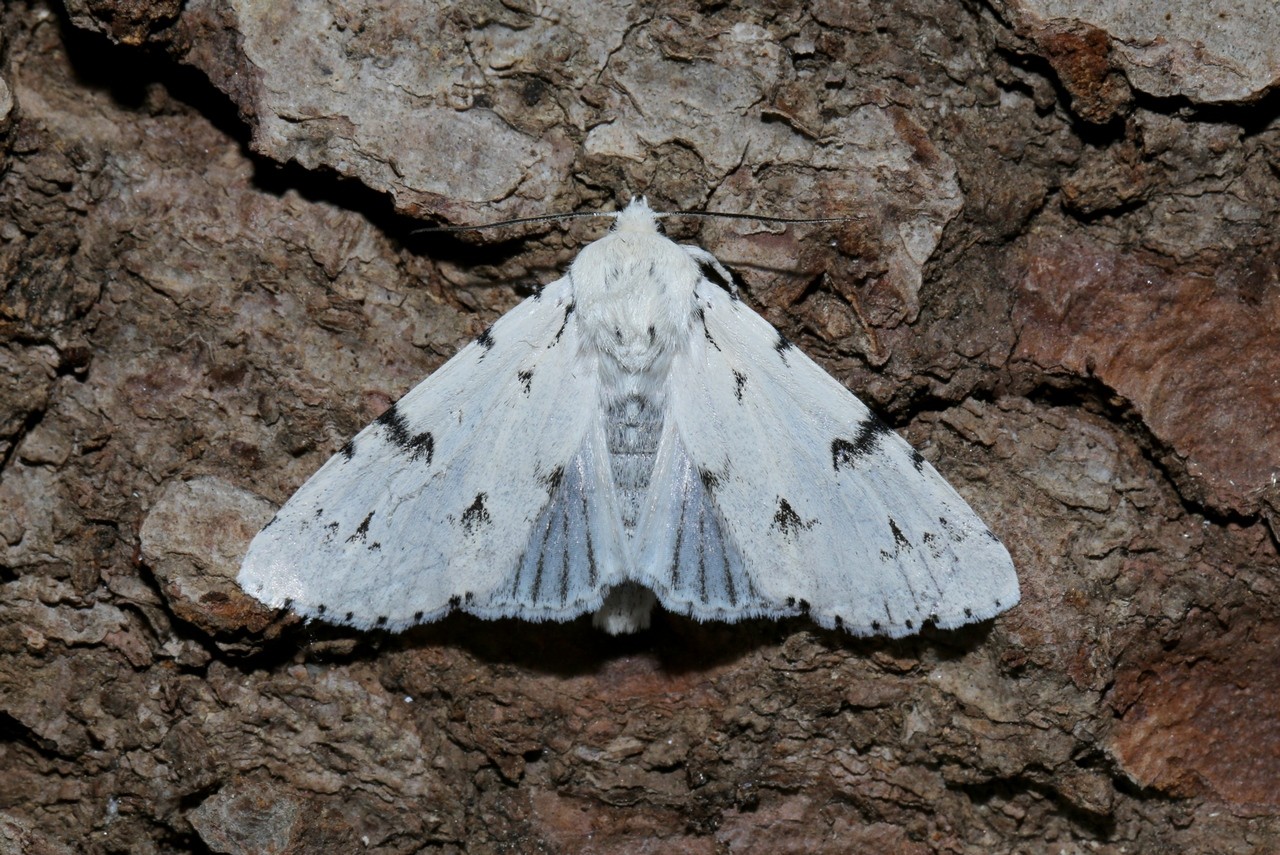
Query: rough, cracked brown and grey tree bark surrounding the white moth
{"type": "Point", "coordinates": [1063, 285]}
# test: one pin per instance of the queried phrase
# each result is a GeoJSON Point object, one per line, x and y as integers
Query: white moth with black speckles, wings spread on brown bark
{"type": "Point", "coordinates": [632, 433]}
